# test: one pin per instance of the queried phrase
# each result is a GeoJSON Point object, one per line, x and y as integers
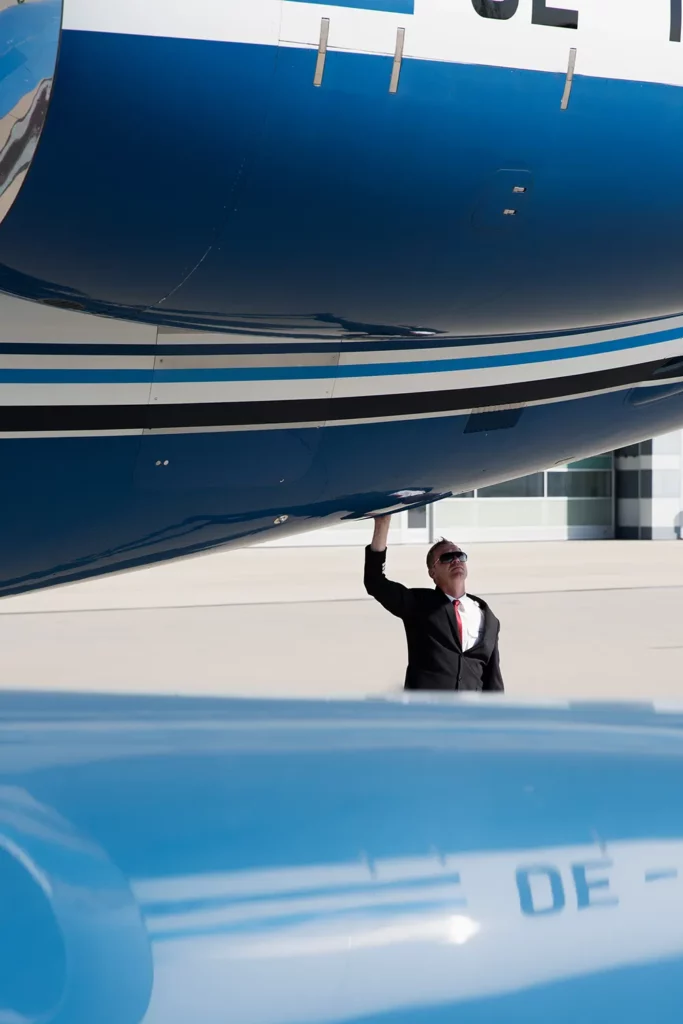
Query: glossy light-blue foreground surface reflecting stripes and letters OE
{"type": "Point", "coordinates": [165, 861]}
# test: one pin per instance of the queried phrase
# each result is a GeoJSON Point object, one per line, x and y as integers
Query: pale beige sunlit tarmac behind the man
{"type": "Point", "coordinates": [589, 621]}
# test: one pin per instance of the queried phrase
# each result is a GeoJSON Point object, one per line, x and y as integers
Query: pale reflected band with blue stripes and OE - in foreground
{"type": "Point", "coordinates": [335, 943]}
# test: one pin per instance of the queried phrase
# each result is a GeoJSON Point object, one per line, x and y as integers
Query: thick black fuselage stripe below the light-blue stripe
{"type": "Point", "coordinates": [159, 417]}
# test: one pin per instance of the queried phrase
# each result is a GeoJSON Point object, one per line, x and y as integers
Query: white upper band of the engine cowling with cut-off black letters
{"type": "Point", "coordinates": [629, 40]}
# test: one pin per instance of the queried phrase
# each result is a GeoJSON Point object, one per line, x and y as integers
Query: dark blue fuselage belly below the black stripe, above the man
{"type": "Point", "coordinates": [83, 506]}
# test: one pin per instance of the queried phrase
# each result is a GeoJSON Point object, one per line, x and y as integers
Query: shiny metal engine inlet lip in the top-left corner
{"type": "Point", "coordinates": [29, 42]}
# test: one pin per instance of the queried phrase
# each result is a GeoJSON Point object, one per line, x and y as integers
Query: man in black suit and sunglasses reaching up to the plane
{"type": "Point", "coordinates": [452, 635]}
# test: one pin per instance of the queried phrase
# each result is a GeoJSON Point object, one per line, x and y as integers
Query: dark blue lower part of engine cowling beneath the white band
{"type": "Point", "coordinates": [346, 202]}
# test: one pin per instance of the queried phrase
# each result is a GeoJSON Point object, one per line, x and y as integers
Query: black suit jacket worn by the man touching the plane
{"type": "Point", "coordinates": [436, 657]}
